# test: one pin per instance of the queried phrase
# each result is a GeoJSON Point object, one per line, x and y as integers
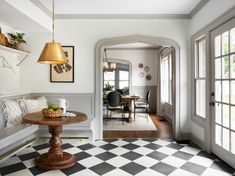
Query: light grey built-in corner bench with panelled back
{"type": "Point", "coordinates": [13, 138]}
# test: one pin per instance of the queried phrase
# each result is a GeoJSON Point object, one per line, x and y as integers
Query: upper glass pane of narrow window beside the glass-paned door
{"type": "Point", "coordinates": [202, 58]}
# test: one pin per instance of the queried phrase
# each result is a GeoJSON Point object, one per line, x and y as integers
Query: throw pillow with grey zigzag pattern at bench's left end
{"type": "Point", "coordinates": [11, 113]}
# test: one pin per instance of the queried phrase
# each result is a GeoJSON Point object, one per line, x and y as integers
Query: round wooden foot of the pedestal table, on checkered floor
{"type": "Point", "coordinates": [44, 162]}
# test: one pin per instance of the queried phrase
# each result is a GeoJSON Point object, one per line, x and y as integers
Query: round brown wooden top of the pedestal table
{"type": "Point", "coordinates": [38, 119]}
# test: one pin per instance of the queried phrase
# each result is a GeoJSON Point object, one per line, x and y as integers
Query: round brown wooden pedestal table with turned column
{"type": "Point", "coordinates": [55, 158]}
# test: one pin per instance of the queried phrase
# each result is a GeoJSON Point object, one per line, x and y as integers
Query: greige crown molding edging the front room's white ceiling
{"type": "Point", "coordinates": [194, 11]}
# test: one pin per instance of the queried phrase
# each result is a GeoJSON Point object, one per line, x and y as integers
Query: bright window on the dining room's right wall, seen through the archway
{"type": "Point", "coordinates": [166, 79]}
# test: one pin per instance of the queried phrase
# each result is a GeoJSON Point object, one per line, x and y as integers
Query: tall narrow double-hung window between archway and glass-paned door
{"type": "Point", "coordinates": [200, 78]}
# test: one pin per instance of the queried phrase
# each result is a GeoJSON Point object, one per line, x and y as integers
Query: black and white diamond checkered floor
{"type": "Point", "coordinates": [122, 157]}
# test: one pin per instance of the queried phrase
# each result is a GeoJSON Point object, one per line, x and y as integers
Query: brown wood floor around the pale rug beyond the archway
{"type": "Point", "coordinates": [164, 131]}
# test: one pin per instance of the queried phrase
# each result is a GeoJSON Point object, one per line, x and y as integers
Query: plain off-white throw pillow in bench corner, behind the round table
{"type": "Point", "coordinates": [35, 105]}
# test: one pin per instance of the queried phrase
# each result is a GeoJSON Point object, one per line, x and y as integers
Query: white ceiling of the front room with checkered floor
{"type": "Point", "coordinates": [122, 6]}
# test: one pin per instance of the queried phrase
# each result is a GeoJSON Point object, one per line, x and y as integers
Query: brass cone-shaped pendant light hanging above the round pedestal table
{"type": "Point", "coordinates": [52, 52]}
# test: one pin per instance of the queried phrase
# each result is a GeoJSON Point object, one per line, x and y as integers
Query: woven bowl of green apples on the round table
{"type": "Point", "coordinates": [52, 111]}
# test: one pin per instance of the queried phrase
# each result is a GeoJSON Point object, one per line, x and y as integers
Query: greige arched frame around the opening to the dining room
{"type": "Point", "coordinates": [98, 76]}
